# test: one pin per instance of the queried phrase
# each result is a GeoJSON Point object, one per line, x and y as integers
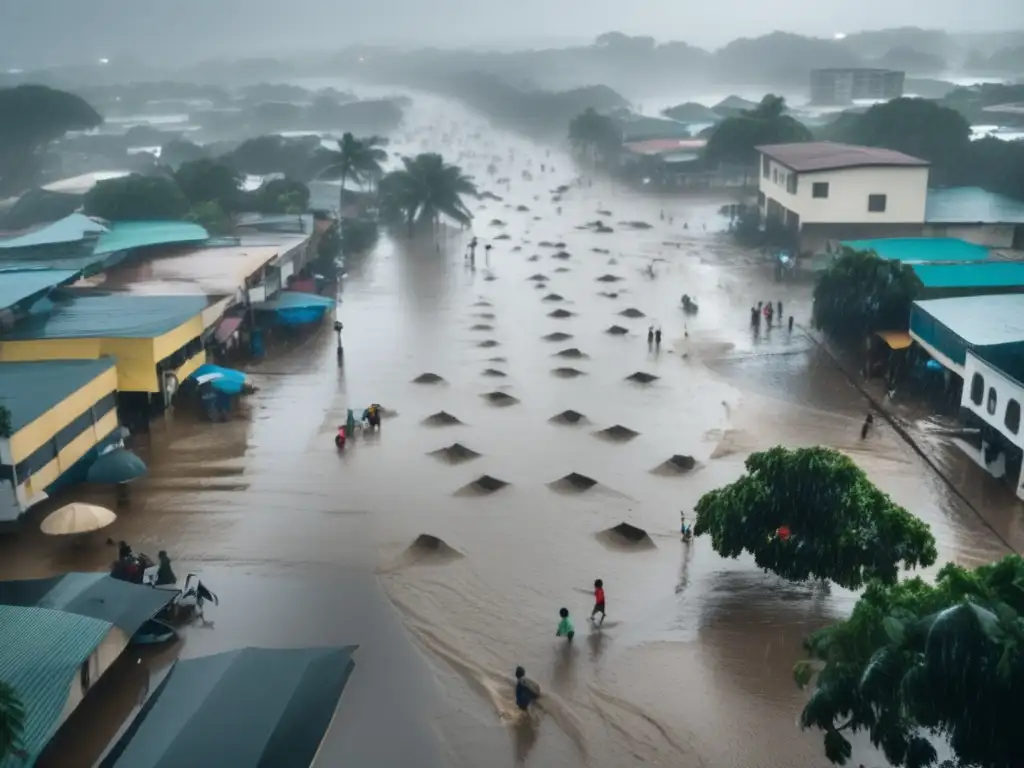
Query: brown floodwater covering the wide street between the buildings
{"type": "Point", "coordinates": [307, 546]}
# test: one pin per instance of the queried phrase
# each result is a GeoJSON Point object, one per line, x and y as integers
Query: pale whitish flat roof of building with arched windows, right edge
{"type": "Point", "coordinates": [980, 321]}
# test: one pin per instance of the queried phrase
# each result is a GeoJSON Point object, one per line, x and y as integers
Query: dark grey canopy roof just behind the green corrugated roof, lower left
{"type": "Point", "coordinates": [97, 595]}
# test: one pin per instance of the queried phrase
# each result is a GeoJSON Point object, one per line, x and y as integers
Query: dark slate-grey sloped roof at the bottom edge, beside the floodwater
{"type": "Point", "coordinates": [254, 708]}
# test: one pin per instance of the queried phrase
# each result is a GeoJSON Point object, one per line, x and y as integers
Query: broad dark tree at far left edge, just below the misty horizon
{"type": "Point", "coordinates": [32, 117]}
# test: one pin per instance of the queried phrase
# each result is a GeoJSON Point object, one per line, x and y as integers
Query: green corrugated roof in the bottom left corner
{"type": "Point", "coordinates": [41, 652]}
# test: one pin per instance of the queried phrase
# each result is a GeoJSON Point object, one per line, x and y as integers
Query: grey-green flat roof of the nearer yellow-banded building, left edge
{"type": "Point", "coordinates": [30, 390]}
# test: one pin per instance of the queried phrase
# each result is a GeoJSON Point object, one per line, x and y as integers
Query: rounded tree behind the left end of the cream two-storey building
{"type": "Point", "coordinates": [736, 140]}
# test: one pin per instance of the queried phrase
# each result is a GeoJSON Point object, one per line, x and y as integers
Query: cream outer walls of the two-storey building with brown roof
{"type": "Point", "coordinates": [906, 191]}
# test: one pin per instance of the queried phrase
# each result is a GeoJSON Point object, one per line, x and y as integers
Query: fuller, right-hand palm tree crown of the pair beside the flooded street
{"type": "Point", "coordinates": [425, 190]}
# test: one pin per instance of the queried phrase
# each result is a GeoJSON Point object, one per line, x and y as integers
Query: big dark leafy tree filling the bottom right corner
{"type": "Point", "coordinates": [916, 661]}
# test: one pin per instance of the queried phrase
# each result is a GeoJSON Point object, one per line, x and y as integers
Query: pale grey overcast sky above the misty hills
{"type": "Point", "coordinates": [36, 31]}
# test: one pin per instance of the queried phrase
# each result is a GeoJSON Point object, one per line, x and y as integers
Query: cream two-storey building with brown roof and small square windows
{"type": "Point", "coordinates": [822, 191]}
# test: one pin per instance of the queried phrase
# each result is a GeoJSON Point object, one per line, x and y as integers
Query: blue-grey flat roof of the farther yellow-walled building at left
{"type": "Point", "coordinates": [110, 317]}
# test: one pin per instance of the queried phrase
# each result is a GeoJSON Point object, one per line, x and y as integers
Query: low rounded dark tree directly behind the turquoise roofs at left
{"type": "Point", "coordinates": [136, 198]}
